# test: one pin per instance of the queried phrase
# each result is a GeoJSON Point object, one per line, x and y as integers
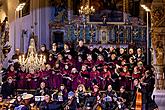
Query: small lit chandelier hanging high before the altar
{"type": "Point", "coordinates": [86, 10]}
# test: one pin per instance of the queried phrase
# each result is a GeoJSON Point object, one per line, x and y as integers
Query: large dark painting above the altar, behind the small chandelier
{"type": "Point", "coordinates": [107, 11]}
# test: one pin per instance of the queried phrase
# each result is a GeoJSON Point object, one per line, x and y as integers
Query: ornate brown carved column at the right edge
{"type": "Point", "coordinates": [158, 41]}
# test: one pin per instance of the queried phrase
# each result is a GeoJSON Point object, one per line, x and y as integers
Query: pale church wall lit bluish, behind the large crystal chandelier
{"type": "Point", "coordinates": [39, 14]}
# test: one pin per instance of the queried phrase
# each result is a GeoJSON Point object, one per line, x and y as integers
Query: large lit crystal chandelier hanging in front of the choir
{"type": "Point", "coordinates": [32, 59]}
